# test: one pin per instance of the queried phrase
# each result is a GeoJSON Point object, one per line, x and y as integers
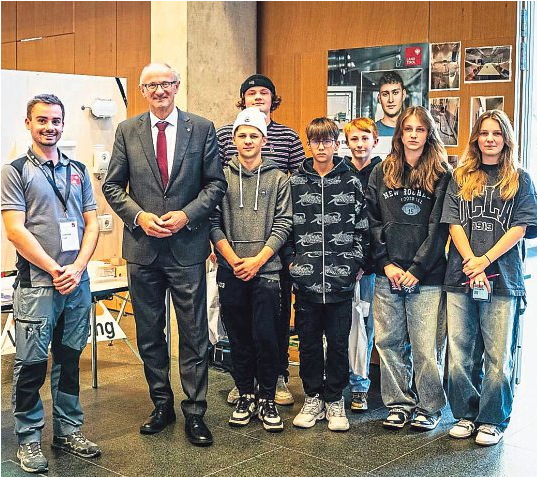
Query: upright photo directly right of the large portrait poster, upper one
{"type": "Point", "coordinates": [445, 64]}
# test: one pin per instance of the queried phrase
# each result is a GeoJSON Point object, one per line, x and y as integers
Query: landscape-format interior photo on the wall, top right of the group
{"type": "Point", "coordinates": [487, 64]}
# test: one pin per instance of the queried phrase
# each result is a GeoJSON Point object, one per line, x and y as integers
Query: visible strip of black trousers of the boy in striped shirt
{"type": "Point", "coordinates": [284, 319]}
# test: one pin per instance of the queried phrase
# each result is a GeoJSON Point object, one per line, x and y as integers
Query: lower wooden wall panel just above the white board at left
{"type": "Point", "coordinates": [55, 54]}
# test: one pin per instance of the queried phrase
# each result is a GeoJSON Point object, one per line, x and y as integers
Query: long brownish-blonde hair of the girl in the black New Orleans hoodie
{"type": "Point", "coordinates": [432, 163]}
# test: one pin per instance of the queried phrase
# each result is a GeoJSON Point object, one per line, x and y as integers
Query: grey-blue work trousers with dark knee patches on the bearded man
{"type": "Point", "coordinates": [43, 316]}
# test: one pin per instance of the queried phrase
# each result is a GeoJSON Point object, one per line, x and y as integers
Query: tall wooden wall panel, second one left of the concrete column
{"type": "Point", "coordinates": [95, 38]}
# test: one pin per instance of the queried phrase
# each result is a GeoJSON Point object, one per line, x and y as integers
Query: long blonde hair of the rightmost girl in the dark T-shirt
{"type": "Point", "coordinates": [471, 179]}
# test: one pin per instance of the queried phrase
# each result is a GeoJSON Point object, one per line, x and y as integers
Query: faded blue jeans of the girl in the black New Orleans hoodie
{"type": "Point", "coordinates": [406, 329]}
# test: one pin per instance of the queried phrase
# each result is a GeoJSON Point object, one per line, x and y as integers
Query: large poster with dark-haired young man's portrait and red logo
{"type": "Point", "coordinates": [386, 79]}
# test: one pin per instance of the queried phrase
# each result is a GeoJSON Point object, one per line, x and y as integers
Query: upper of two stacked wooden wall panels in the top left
{"type": "Point", "coordinates": [41, 19]}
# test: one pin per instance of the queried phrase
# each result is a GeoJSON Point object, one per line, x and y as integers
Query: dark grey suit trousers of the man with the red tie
{"type": "Point", "coordinates": [148, 285]}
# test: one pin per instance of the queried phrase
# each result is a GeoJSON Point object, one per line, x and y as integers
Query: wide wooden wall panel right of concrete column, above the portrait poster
{"type": "Point", "coordinates": [296, 27]}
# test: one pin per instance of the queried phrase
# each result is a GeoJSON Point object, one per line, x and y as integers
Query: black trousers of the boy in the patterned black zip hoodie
{"type": "Point", "coordinates": [312, 320]}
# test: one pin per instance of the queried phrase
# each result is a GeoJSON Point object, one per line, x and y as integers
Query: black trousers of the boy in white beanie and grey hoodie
{"type": "Point", "coordinates": [249, 312]}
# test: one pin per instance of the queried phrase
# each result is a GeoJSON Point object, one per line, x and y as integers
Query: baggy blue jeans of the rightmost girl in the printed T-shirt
{"type": "Point", "coordinates": [482, 342]}
